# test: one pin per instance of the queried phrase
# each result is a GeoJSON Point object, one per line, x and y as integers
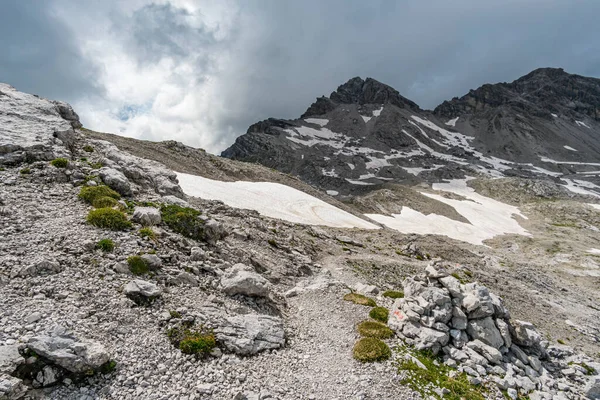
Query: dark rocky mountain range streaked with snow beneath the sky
{"type": "Point", "coordinates": [365, 134]}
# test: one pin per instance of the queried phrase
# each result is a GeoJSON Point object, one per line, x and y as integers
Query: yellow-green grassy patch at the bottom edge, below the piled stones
{"type": "Point", "coordinates": [436, 375]}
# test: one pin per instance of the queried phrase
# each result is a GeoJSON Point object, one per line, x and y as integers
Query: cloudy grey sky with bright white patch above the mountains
{"type": "Point", "coordinates": [201, 71]}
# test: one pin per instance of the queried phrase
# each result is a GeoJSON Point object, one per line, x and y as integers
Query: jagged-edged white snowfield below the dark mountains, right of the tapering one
{"type": "Point", "coordinates": [488, 217]}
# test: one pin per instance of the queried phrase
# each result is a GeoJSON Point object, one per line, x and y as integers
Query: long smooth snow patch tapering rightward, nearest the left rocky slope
{"type": "Point", "coordinates": [272, 200]}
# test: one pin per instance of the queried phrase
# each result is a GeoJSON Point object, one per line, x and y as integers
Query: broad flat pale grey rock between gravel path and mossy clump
{"type": "Point", "coordinates": [251, 333]}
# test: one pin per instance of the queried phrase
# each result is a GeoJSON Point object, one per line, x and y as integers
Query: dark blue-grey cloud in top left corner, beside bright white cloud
{"type": "Point", "coordinates": [38, 54]}
